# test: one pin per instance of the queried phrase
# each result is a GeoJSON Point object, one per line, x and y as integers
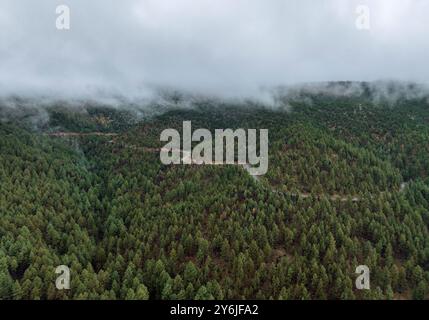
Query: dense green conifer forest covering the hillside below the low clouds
{"type": "Point", "coordinates": [347, 185]}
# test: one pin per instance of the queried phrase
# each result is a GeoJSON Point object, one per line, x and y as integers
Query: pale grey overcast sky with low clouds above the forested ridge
{"type": "Point", "coordinates": [213, 46]}
